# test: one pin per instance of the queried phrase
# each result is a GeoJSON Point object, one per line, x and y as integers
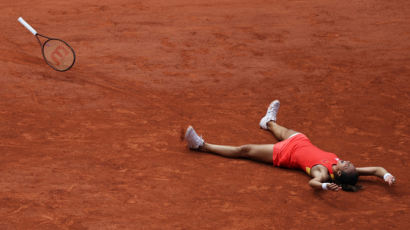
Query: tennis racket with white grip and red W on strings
{"type": "Point", "coordinates": [56, 52]}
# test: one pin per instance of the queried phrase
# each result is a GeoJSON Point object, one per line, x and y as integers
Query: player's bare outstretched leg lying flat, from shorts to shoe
{"type": "Point", "coordinates": [263, 153]}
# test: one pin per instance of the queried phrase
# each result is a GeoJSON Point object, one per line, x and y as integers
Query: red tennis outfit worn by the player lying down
{"type": "Point", "coordinates": [298, 152]}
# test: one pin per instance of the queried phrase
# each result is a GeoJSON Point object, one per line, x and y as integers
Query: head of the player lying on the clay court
{"type": "Point", "coordinates": [346, 175]}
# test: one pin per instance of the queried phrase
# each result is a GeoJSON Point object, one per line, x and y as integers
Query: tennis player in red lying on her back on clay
{"type": "Point", "coordinates": [294, 151]}
